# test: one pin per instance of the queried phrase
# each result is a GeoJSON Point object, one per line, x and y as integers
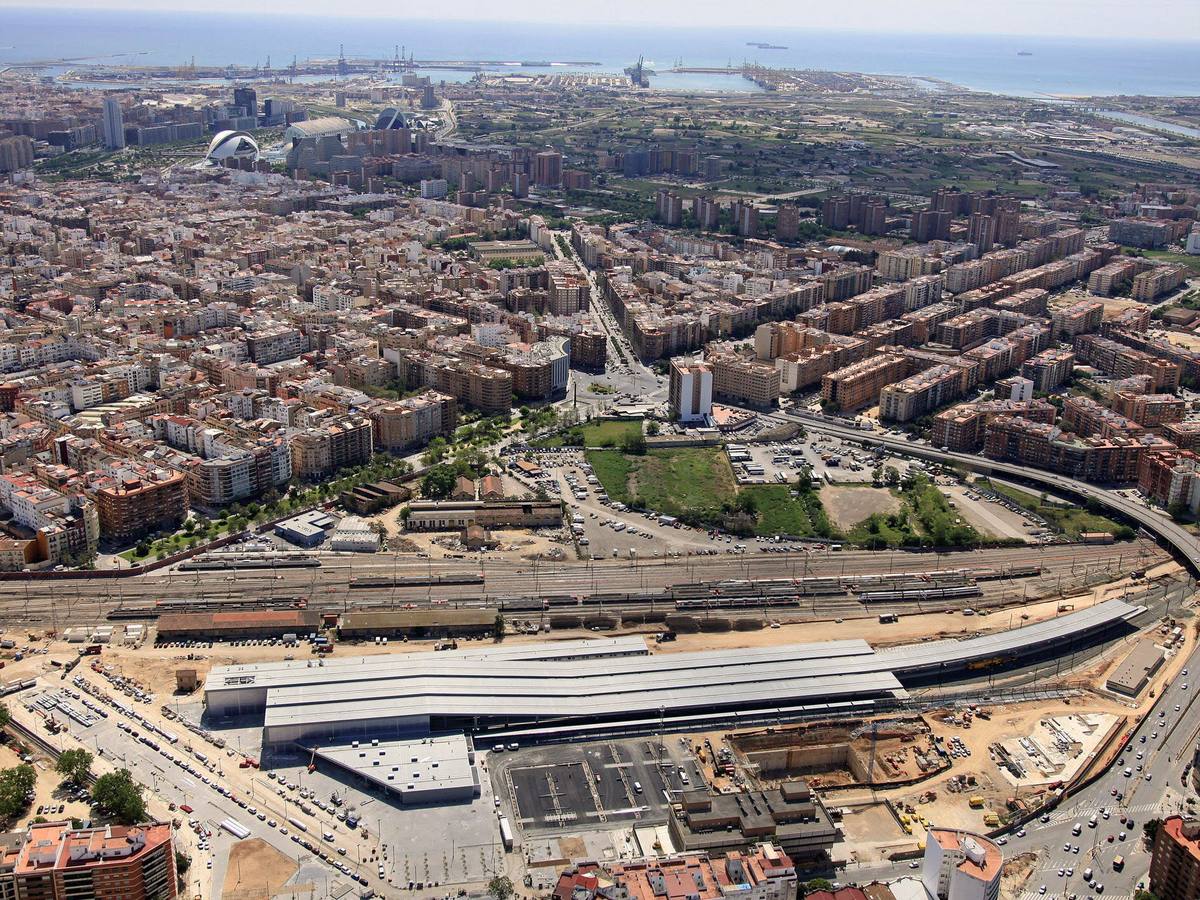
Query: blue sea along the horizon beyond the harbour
{"type": "Point", "coordinates": [1009, 65]}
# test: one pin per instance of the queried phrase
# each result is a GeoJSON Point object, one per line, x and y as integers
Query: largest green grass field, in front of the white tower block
{"type": "Point", "coordinates": [693, 482]}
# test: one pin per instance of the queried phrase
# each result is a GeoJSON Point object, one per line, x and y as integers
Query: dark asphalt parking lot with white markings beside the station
{"type": "Point", "coordinates": [595, 787]}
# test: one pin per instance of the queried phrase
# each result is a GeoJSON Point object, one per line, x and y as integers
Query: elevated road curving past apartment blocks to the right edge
{"type": "Point", "coordinates": [1185, 545]}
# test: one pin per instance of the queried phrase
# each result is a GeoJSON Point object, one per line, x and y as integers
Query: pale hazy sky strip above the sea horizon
{"type": "Point", "coordinates": [1172, 20]}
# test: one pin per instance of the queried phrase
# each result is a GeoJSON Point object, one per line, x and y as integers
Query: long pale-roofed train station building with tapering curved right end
{"type": "Point", "coordinates": [575, 685]}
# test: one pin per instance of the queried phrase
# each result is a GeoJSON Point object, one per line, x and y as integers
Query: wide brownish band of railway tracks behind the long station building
{"type": "Point", "coordinates": [374, 583]}
